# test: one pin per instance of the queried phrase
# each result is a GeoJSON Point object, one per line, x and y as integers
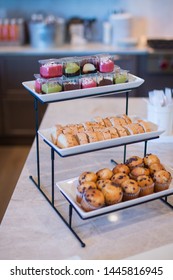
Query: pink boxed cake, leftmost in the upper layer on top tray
{"type": "Point", "coordinates": [51, 69]}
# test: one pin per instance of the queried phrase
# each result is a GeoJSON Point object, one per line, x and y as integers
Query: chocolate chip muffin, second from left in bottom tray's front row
{"type": "Point", "coordinates": [112, 194]}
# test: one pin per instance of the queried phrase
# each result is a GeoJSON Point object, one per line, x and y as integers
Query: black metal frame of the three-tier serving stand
{"type": "Point", "coordinates": [51, 200]}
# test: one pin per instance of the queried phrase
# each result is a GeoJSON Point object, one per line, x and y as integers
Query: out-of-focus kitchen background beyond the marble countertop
{"type": "Point", "coordinates": [139, 32]}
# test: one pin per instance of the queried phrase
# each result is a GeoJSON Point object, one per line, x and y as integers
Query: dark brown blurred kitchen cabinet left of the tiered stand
{"type": "Point", "coordinates": [17, 120]}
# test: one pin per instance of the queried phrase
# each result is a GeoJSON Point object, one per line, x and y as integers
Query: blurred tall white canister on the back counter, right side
{"type": "Point", "coordinates": [121, 27]}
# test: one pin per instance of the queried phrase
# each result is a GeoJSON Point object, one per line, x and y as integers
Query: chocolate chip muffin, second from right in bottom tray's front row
{"type": "Point", "coordinates": [146, 185]}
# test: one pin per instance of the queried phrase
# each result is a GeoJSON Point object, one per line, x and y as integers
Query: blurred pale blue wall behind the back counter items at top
{"type": "Point", "coordinates": [151, 17]}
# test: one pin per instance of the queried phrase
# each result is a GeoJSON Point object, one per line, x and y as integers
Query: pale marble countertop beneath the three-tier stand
{"type": "Point", "coordinates": [31, 229]}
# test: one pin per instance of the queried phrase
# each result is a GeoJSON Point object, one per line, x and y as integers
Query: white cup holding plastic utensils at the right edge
{"type": "Point", "coordinates": [162, 116]}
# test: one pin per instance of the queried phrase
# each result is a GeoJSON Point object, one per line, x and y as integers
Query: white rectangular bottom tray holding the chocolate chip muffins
{"type": "Point", "coordinates": [68, 189]}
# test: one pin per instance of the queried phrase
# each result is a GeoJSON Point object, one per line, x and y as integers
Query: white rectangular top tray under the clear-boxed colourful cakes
{"type": "Point", "coordinates": [133, 82]}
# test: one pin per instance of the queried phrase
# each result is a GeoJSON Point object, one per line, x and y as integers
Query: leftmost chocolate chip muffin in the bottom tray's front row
{"type": "Point", "coordinates": [92, 199]}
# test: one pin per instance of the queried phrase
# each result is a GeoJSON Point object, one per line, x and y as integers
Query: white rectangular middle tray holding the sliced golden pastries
{"type": "Point", "coordinates": [46, 135]}
